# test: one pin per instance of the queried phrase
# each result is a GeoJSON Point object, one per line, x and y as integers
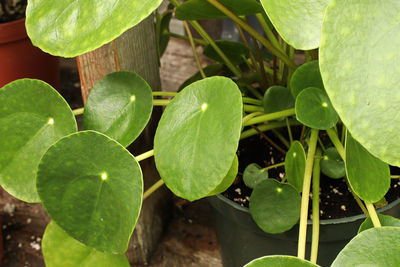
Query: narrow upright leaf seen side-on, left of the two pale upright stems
{"type": "Point", "coordinates": [295, 165]}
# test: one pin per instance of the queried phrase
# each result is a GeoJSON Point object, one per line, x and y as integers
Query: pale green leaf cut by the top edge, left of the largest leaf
{"type": "Point", "coordinates": [287, 15]}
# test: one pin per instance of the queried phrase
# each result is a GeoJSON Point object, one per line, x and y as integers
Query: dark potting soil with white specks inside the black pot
{"type": "Point", "coordinates": [335, 199]}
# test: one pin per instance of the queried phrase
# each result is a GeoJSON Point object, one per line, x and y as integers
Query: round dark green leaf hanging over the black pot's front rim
{"type": "Point", "coordinates": [274, 206]}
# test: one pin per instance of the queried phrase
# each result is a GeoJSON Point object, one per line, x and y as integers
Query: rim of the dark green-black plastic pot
{"type": "Point", "coordinates": [309, 222]}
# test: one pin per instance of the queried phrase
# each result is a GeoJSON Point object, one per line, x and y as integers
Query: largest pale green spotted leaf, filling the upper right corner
{"type": "Point", "coordinates": [358, 60]}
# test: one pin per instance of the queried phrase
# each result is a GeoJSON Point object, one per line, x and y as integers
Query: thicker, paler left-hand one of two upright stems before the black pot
{"type": "Point", "coordinates": [301, 250]}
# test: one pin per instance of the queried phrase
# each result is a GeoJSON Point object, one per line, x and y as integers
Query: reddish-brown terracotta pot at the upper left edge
{"type": "Point", "coordinates": [20, 59]}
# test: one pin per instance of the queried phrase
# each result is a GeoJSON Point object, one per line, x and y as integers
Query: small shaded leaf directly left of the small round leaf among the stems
{"type": "Point", "coordinates": [277, 98]}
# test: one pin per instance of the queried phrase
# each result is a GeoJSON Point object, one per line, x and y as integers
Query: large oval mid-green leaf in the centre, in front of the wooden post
{"type": "Point", "coordinates": [196, 139]}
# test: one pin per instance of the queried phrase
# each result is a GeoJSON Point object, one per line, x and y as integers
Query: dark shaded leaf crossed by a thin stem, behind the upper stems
{"type": "Point", "coordinates": [236, 52]}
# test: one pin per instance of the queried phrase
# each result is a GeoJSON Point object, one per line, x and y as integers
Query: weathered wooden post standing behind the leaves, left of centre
{"type": "Point", "coordinates": [135, 50]}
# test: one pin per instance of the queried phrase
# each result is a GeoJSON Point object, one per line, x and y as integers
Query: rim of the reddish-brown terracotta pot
{"type": "Point", "coordinates": [12, 31]}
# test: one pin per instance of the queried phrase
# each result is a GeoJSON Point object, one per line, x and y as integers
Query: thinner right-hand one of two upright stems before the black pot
{"type": "Point", "coordinates": [315, 208]}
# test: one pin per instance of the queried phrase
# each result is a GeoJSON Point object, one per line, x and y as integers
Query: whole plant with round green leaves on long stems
{"type": "Point", "coordinates": [92, 187]}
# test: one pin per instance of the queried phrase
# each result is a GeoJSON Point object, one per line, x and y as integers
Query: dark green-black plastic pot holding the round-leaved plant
{"type": "Point", "coordinates": [241, 240]}
